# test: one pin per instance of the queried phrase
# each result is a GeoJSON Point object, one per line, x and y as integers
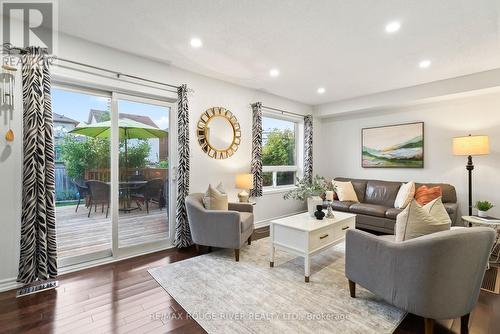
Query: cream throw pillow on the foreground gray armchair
{"type": "Point", "coordinates": [416, 221]}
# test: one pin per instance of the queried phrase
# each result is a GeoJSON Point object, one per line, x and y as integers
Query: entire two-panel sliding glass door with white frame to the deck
{"type": "Point", "coordinates": [112, 174]}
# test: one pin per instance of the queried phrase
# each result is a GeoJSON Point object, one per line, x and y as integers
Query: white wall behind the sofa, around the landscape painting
{"type": "Point", "coordinates": [340, 144]}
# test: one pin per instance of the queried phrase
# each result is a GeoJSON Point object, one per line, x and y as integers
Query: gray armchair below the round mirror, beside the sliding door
{"type": "Point", "coordinates": [225, 229]}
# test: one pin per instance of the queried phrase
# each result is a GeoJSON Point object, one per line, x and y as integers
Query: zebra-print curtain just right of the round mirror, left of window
{"type": "Point", "coordinates": [257, 150]}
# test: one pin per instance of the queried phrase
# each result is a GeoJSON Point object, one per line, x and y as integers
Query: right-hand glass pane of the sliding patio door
{"type": "Point", "coordinates": [143, 190]}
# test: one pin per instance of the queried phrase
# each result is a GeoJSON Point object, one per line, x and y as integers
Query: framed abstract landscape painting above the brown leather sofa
{"type": "Point", "coordinates": [394, 146]}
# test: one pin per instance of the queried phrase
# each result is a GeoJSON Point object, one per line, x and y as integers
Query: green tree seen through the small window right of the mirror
{"type": "Point", "coordinates": [279, 149]}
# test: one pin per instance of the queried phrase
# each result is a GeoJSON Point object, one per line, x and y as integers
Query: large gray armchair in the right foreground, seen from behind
{"type": "Point", "coordinates": [436, 276]}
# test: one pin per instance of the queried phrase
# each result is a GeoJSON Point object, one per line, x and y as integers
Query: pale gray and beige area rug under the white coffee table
{"type": "Point", "coordinates": [225, 296]}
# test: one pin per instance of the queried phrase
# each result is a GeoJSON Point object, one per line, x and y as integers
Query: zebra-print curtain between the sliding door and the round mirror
{"type": "Point", "coordinates": [182, 232]}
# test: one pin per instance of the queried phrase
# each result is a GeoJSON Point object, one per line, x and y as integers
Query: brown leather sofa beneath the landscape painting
{"type": "Point", "coordinates": [375, 210]}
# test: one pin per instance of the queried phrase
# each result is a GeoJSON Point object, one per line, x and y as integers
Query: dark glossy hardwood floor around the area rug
{"type": "Point", "coordinates": [123, 298]}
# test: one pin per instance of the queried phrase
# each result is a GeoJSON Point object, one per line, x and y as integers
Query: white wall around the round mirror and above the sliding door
{"type": "Point", "coordinates": [207, 93]}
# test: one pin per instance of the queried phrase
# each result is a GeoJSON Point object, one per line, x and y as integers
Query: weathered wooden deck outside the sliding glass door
{"type": "Point", "coordinates": [77, 234]}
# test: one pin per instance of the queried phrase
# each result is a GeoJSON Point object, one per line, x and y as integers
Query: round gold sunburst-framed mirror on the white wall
{"type": "Point", "coordinates": [218, 133]}
